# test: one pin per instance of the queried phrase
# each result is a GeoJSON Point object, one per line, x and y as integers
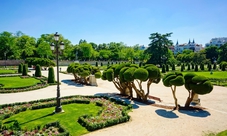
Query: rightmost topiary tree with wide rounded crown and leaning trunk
{"type": "Point", "coordinates": [196, 85]}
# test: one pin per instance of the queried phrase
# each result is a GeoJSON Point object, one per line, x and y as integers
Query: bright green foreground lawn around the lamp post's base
{"type": "Point", "coordinates": [32, 118]}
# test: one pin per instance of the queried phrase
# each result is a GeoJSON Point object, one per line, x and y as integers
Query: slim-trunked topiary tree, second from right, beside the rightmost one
{"type": "Point", "coordinates": [173, 80]}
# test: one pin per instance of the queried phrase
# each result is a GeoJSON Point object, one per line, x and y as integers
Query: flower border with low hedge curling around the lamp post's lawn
{"type": "Point", "coordinates": [113, 111]}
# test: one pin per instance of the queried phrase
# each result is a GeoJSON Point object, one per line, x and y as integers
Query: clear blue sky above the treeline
{"type": "Point", "coordinates": [127, 21]}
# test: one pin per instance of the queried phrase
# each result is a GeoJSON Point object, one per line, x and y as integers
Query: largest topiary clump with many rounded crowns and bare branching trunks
{"type": "Point", "coordinates": [128, 77]}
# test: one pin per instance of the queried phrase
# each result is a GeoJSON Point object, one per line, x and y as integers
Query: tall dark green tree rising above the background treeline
{"type": "Point", "coordinates": [158, 47]}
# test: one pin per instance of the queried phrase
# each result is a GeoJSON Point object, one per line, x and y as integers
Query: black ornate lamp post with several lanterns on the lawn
{"type": "Point", "coordinates": [57, 47]}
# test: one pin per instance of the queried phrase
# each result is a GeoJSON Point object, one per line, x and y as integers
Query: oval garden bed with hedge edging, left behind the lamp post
{"type": "Point", "coordinates": [13, 84]}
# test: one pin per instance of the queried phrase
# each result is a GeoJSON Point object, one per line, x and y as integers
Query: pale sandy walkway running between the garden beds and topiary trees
{"type": "Point", "coordinates": [146, 120]}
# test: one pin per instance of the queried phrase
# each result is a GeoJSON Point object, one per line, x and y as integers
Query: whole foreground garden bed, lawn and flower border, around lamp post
{"type": "Point", "coordinates": [81, 115]}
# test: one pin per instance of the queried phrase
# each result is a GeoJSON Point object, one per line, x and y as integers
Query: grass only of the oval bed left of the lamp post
{"type": "Point", "coordinates": [17, 82]}
